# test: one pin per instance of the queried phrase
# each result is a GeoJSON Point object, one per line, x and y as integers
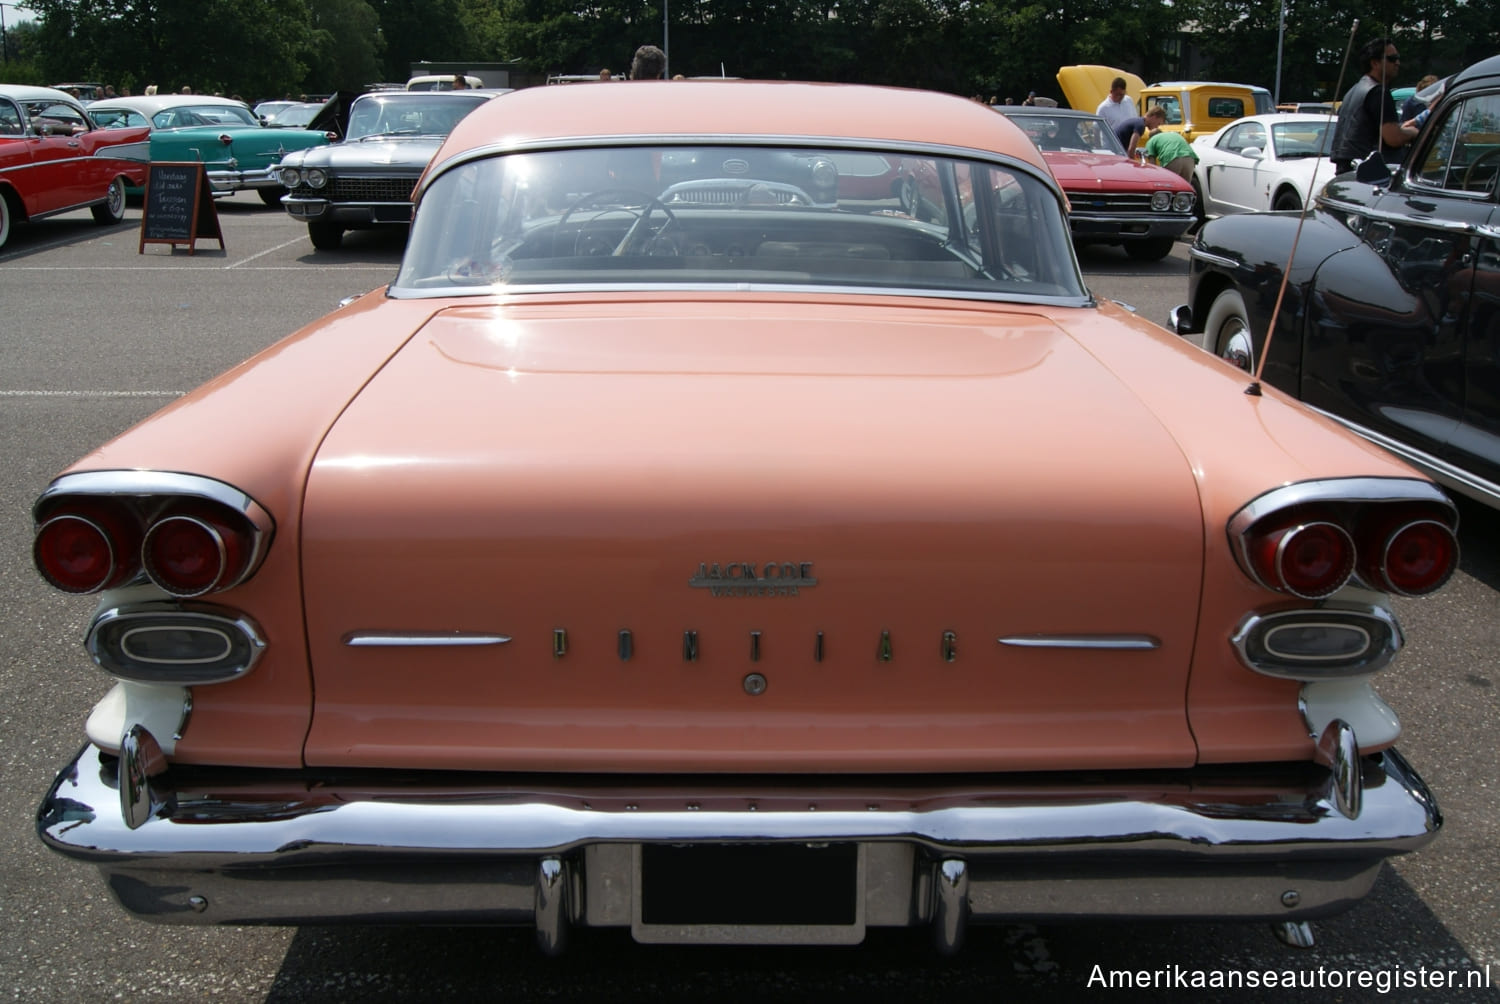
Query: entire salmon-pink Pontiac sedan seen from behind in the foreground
{"type": "Point", "coordinates": [677, 547]}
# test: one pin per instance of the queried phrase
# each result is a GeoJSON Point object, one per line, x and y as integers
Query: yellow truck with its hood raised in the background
{"type": "Point", "coordinates": [1193, 107]}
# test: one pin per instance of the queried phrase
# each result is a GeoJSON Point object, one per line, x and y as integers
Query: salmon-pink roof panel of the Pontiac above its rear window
{"type": "Point", "coordinates": [730, 110]}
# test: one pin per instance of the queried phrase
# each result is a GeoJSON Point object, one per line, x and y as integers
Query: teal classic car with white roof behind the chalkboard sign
{"type": "Point", "coordinates": [236, 151]}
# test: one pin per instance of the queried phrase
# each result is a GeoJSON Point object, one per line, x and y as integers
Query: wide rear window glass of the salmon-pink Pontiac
{"type": "Point", "coordinates": [740, 215]}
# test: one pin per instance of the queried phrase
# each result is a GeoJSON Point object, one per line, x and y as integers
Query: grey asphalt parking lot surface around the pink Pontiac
{"type": "Point", "coordinates": [97, 335]}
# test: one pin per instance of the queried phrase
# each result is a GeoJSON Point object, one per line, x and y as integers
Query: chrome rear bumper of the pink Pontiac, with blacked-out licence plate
{"type": "Point", "coordinates": [734, 861]}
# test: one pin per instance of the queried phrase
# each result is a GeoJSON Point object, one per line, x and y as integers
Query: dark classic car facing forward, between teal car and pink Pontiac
{"type": "Point", "coordinates": [367, 181]}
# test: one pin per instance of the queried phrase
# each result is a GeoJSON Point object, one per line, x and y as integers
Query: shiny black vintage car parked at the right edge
{"type": "Point", "coordinates": [1391, 320]}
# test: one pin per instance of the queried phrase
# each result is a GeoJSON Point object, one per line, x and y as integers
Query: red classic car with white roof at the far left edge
{"type": "Point", "coordinates": [53, 160]}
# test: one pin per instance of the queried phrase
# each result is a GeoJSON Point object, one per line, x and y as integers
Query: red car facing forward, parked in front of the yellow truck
{"type": "Point", "coordinates": [1112, 199]}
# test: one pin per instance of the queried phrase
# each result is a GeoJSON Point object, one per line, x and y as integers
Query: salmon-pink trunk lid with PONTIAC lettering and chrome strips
{"type": "Point", "coordinates": [811, 491]}
